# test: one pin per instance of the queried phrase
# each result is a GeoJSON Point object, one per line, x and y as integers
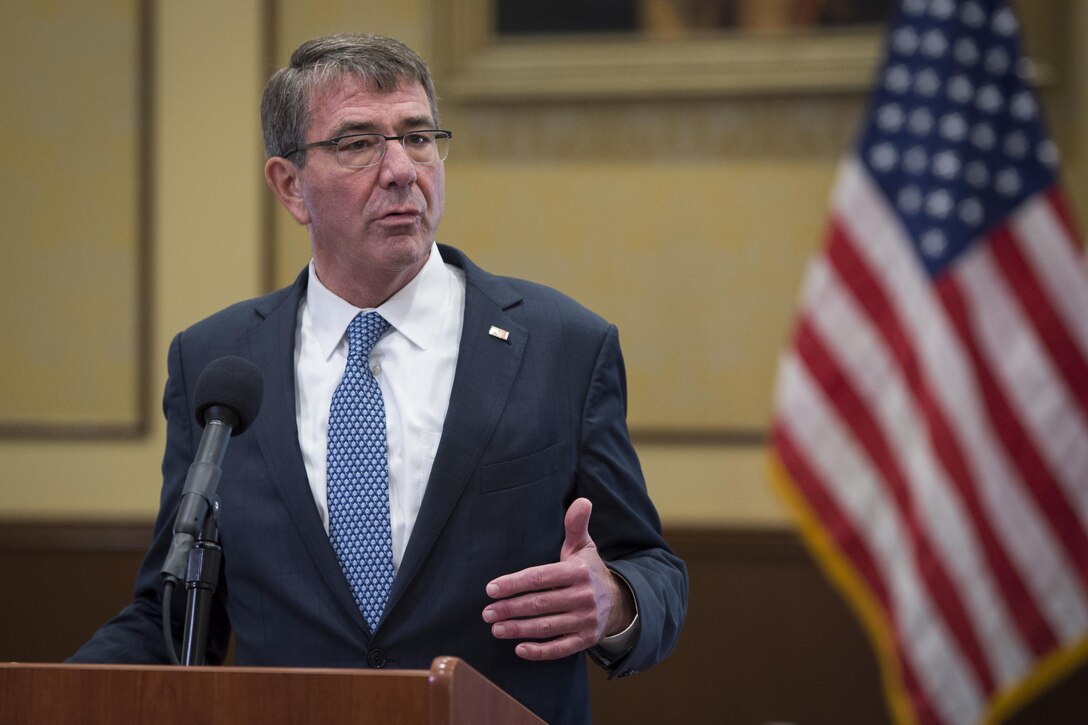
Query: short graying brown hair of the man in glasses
{"type": "Point", "coordinates": [381, 63]}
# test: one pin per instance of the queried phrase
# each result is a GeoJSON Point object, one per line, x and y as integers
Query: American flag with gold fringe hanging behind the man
{"type": "Point", "coordinates": [932, 413]}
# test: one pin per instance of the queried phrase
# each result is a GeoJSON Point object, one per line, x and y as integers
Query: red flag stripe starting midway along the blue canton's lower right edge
{"type": "Point", "coordinates": [1035, 302]}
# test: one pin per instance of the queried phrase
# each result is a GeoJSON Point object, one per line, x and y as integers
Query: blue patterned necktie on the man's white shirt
{"type": "Point", "coordinates": [358, 481]}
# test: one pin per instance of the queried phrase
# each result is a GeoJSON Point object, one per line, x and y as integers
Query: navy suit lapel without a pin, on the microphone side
{"type": "Point", "coordinates": [273, 342]}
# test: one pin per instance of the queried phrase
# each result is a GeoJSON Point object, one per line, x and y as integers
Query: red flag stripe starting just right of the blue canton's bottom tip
{"type": "Point", "coordinates": [1034, 471]}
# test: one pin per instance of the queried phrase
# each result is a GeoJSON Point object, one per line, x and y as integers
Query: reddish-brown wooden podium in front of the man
{"type": "Point", "coordinates": [451, 693]}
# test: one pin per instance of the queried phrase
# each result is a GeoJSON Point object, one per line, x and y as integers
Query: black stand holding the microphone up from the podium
{"type": "Point", "coordinates": [201, 580]}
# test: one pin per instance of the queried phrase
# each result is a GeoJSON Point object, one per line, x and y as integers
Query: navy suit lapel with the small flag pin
{"type": "Point", "coordinates": [487, 367]}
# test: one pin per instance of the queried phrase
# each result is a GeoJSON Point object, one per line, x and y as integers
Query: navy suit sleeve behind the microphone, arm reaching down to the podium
{"type": "Point", "coordinates": [135, 635]}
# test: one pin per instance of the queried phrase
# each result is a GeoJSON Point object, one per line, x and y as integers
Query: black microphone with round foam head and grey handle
{"type": "Point", "coordinates": [228, 398]}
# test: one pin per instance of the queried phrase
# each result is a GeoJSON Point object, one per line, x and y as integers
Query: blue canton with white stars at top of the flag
{"type": "Point", "coordinates": [956, 140]}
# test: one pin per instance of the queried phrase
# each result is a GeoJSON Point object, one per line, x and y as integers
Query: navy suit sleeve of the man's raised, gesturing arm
{"type": "Point", "coordinates": [625, 524]}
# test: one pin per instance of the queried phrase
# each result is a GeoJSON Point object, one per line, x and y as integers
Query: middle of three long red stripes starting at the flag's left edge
{"type": "Point", "coordinates": [867, 432]}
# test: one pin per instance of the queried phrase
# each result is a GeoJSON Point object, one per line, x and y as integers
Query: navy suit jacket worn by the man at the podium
{"type": "Point", "coordinates": [534, 423]}
